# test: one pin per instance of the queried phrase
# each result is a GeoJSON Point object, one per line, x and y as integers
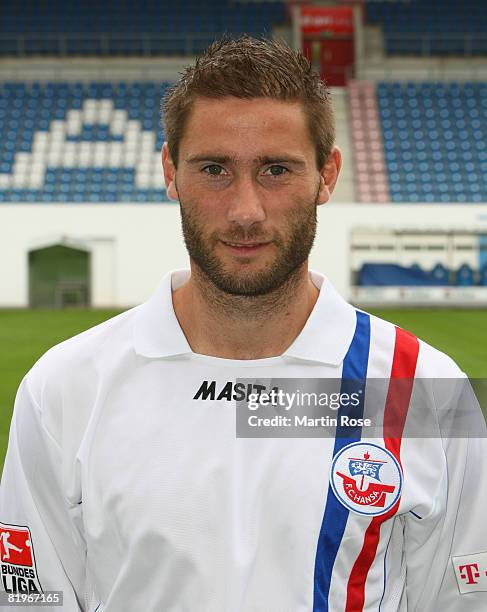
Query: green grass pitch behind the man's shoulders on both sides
{"type": "Point", "coordinates": [26, 334]}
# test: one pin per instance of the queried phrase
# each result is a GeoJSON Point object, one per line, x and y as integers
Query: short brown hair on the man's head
{"type": "Point", "coordinates": [251, 68]}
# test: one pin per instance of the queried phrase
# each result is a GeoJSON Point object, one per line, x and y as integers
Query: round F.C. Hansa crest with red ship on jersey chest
{"type": "Point", "coordinates": [366, 478]}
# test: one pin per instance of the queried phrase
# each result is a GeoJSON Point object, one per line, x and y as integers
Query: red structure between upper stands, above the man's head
{"type": "Point", "coordinates": [327, 35]}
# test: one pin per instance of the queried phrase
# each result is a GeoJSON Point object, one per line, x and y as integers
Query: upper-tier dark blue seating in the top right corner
{"type": "Point", "coordinates": [431, 27]}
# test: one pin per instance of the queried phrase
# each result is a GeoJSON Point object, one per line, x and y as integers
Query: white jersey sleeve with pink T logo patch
{"type": "Point", "coordinates": [446, 552]}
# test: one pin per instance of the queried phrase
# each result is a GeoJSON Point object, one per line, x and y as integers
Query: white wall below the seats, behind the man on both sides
{"type": "Point", "coordinates": [132, 246]}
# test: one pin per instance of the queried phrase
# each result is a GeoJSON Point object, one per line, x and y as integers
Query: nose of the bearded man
{"type": "Point", "coordinates": [246, 205]}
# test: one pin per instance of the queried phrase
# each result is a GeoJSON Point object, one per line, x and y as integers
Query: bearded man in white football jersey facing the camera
{"type": "Point", "coordinates": [124, 470]}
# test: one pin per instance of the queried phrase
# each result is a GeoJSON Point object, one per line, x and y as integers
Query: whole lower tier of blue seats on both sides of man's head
{"type": "Point", "coordinates": [95, 142]}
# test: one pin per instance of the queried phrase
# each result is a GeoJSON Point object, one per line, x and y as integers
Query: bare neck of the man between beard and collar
{"type": "Point", "coordinates": [235, 327]}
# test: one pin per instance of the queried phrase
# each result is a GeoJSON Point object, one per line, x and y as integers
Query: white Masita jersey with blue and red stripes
{"type": "Point", "coordinates": [126, 487]}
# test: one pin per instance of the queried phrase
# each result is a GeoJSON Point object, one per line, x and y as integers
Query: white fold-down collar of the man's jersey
{"type": "Point", "coordinates": [325, 337]}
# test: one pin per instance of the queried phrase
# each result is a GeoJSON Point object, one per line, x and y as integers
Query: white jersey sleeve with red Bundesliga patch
{"type": "Point", "coordinates": [41, 542]}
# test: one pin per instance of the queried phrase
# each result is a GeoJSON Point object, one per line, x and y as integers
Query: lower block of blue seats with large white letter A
{"type": "Point", "coordinates": [75, 142]}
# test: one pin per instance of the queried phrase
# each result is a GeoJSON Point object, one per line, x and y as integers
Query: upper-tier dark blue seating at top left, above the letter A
{"type": "Point", "coordinates": [113, 28]}
